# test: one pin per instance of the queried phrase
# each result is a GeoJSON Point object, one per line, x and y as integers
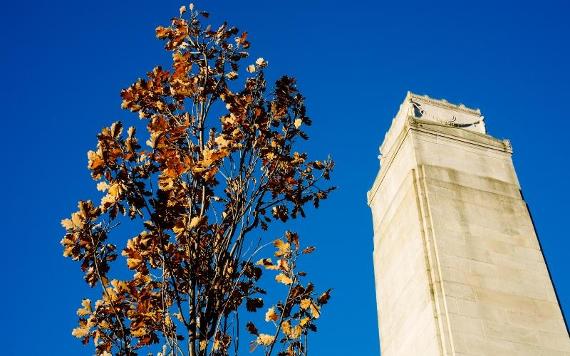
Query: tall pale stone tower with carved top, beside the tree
{"type": "Point", "coordinates": [458, 266]}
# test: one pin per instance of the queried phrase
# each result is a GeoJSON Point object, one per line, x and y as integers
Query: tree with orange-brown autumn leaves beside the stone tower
{"type": "Point", "coordinates": [220, 164]}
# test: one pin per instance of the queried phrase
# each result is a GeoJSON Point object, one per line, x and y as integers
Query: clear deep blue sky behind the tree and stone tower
{"type": "Point", "coordinates": [64, 62]}
